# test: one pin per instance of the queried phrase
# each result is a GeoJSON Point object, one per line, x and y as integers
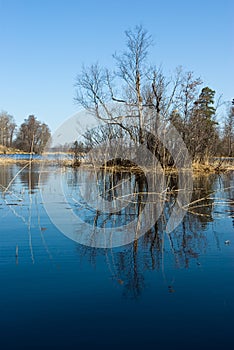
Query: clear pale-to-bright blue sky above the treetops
{"type": "Point", "coordinates": [44, 44]}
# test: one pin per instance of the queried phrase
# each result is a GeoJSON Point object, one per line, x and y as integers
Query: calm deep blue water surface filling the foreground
{"type": "Point", "coordinates": [161, 292]}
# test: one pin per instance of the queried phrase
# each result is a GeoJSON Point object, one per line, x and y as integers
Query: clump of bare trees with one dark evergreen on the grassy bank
{"type": "Point", "coordinates": [136, 98]}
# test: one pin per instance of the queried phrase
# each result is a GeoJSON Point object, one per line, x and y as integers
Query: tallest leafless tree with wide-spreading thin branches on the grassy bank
{"type": "Point", "coordinates": [133, 97]}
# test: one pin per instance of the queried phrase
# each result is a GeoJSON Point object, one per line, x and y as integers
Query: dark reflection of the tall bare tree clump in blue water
{"type": "Point", "coordinates": [186, 243]}
